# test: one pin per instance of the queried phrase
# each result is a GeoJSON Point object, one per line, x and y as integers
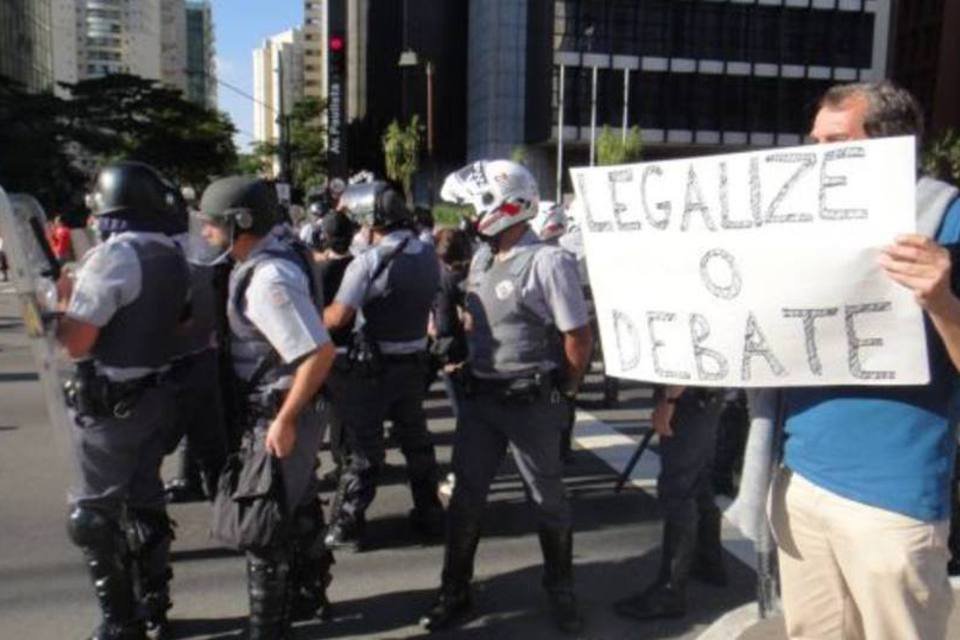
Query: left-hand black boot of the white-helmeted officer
{"type": "Point", "coordinates": [453, 600]}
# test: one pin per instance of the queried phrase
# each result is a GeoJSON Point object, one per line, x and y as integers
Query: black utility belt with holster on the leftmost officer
{"type": "Point", "coordinates": [96, 396]}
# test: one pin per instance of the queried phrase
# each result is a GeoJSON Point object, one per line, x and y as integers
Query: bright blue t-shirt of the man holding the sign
{"type": "Point", "coordinates": [888, 447]}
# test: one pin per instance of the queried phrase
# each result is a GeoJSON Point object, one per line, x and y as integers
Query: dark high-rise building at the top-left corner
{"type": "Point", "coordinates": [26, 43]}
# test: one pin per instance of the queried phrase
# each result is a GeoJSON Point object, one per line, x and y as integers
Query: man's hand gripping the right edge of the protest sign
{"type": "Point", "coordinates": [923, 266]}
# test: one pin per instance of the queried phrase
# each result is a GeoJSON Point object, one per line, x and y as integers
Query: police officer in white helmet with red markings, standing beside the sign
{"type": "Point", "coordinates": [529, 345]}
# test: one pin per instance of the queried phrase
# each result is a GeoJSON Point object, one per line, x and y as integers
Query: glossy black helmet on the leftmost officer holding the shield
{"type": "Point", "coordinates": [134, 189]}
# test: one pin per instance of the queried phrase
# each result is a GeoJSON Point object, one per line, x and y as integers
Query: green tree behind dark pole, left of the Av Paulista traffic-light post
{"type": "Point", "coordinates": [308, 152]}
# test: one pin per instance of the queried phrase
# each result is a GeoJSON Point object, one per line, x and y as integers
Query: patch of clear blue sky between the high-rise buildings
{"type": "Point", "coordinates": [240, 26]}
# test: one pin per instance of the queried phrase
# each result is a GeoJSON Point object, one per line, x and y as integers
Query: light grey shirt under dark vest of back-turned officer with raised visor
{"type": "Point", "coordinates": [356, 289]}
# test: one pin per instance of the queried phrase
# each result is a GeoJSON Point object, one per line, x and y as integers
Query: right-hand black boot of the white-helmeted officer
{"type": "Point", "coordinates": [557, 547]}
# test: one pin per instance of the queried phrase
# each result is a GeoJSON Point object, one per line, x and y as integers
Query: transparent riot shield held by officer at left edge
{"type": "Point", "coordinates": [34, 271]}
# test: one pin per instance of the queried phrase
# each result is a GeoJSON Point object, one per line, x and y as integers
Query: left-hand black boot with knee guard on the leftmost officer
{"type": "Point", "coordinates": [108, 560]}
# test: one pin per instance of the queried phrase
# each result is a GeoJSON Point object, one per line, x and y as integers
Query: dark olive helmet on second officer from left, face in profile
{"type": "Point", "coordinates": [248, 202]}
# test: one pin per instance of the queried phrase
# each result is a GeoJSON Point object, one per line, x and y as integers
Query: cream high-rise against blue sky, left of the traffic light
{"type": "Point", "coordinates": [277, 82]}
